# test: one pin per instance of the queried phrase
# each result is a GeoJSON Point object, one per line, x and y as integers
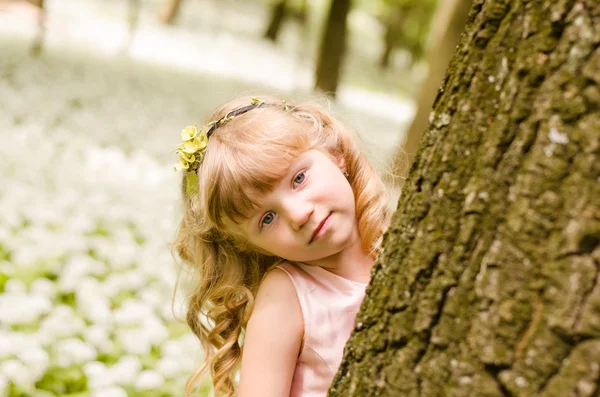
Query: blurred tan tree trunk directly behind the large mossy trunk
{"type": "Point", "coordinates": [448, 24]}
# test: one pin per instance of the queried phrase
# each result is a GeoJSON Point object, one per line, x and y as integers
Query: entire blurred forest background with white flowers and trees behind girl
{"type": "Point", "coordinates": [93, 94]}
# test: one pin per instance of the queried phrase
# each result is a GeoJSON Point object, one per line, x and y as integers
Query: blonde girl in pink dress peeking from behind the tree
{"type": "Point", "coordinates": [283, 219]}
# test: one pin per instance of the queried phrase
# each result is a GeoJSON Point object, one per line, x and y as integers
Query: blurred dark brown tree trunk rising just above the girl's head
{"type": "Point", "coordinates": [333, 47]}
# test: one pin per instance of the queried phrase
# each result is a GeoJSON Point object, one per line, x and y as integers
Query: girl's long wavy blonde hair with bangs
{"type": "Point", "coordinates": [244, 159]}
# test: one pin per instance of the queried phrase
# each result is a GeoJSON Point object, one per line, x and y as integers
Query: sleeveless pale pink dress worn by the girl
{"type": "Point", "coordinates": [329, 305]}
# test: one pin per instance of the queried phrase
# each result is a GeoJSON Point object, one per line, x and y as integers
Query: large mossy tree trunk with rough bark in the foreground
{"type": "Point", "coordinates": [489, 281]}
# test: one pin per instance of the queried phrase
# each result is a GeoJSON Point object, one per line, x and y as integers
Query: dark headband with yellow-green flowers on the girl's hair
{"type": "Point", "coordinates": [191, 150]}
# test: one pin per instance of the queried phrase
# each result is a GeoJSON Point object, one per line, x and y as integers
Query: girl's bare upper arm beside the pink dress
{"type": "Point", "coordinates": [272, 341]}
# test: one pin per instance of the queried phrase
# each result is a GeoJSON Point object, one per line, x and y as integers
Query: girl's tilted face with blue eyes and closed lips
{"type": "Point", "coordinates": [309, 215]}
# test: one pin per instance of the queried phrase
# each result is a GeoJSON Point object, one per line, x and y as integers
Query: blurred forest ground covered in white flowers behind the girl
{"type": "Point", "coordinates": [88, 204]}
